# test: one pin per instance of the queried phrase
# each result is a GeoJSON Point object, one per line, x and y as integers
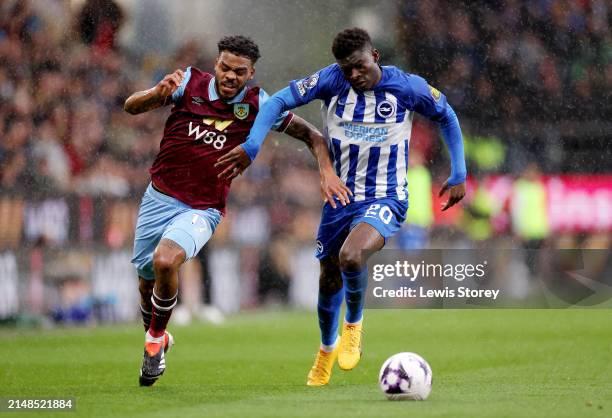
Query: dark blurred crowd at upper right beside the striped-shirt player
{"type": "Point", "coordinates": [515, 61]}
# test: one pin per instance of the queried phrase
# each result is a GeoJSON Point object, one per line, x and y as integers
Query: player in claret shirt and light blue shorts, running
{"type": "Point", "coordinates": [185, 200]}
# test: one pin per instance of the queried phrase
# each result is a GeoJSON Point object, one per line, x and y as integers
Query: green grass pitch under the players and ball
{"type": "Point", "coordinates": [495, 363]}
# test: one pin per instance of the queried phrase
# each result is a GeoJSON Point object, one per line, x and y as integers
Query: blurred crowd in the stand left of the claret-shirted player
{"type": "Point", "coordinates": [61, 118]}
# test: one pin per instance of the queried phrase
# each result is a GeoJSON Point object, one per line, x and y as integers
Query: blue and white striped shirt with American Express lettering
{"type": "Point", "coordinates": [368, 132]}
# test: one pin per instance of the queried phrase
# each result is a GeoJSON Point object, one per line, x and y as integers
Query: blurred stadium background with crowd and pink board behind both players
{"type": "Point", "coordinates": [529, 80]}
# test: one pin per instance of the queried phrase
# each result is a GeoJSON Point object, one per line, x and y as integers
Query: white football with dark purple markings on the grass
{"type": "Point", "coordinates": [405, 376]}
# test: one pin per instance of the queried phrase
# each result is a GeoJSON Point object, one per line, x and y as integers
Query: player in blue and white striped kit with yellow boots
{"type": "Point", "coordinates": [367, 112]}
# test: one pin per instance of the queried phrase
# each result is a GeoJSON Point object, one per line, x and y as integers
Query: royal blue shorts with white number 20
{"type": "Point", "coordinates": [386, 215]}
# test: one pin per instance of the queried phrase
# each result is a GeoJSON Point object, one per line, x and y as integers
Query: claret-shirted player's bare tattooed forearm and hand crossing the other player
{"type": "Point", "coordinates": [331, 185]}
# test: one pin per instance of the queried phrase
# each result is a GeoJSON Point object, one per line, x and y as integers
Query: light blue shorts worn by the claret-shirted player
{"type": "Point", "coordinates": [161, 216]}
